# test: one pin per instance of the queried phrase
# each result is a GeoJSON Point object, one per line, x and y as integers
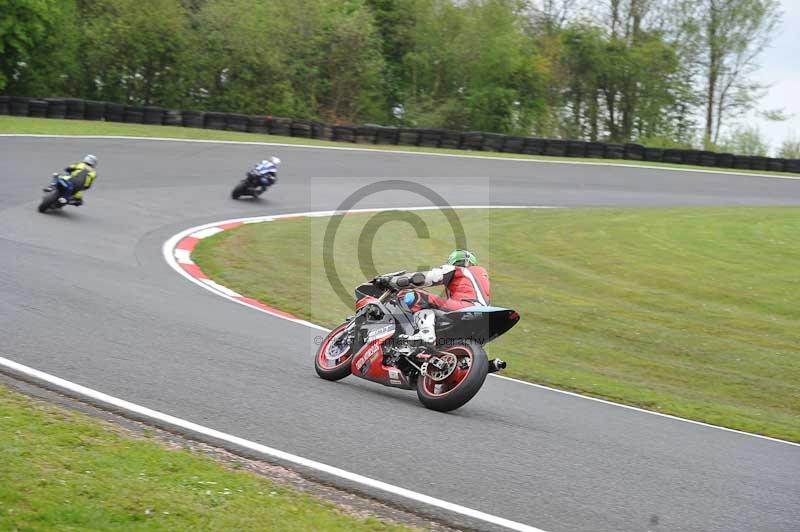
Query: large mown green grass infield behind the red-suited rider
{"type": "Point", "coordinates": [691, 312]}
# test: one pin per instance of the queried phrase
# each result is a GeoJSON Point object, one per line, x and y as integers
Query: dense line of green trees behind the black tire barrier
{"type": "Point", "coordinates": [671, 73]}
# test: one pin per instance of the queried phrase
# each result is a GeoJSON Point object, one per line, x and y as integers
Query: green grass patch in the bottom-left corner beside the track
{"type": "Point", "coordinates": [61, 470]}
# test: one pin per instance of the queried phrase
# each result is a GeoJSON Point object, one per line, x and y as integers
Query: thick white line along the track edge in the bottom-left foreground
{"type": "Point", "coordinates": [262, 449]}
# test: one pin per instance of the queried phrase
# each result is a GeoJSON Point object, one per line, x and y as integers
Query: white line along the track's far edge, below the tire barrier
{"type": "Point", "coordinates": [405, 152]}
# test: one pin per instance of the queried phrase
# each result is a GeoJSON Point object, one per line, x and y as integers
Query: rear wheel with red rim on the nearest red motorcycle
{"type": "Point", "coordinates": [461, 385]}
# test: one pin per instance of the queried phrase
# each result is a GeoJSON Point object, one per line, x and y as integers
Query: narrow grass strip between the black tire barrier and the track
{"type": "Point", "coordinates": [48, 126]}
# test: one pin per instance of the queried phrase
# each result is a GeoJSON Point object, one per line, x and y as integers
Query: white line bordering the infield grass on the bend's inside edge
{"type": "Point", "coordinates": [170, 244]}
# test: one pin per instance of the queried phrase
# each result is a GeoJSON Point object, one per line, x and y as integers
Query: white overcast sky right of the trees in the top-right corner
{"type": "Point", "coordinates": [780, 68]}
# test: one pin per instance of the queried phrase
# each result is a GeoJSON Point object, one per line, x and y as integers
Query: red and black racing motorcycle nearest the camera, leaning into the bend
{"type": "Point", "coordinates": [373, 345]}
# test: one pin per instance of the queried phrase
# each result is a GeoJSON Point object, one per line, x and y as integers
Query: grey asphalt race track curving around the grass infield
{"type": "Point", "coordinates": [86, 295]}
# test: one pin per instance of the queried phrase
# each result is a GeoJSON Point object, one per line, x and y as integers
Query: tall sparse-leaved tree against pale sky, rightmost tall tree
{"type": "Point", "coordinates": [729, 36]}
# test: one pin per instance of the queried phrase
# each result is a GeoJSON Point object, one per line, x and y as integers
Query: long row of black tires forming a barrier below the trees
{"type": "Point", "coordinates": [79, 109]}
